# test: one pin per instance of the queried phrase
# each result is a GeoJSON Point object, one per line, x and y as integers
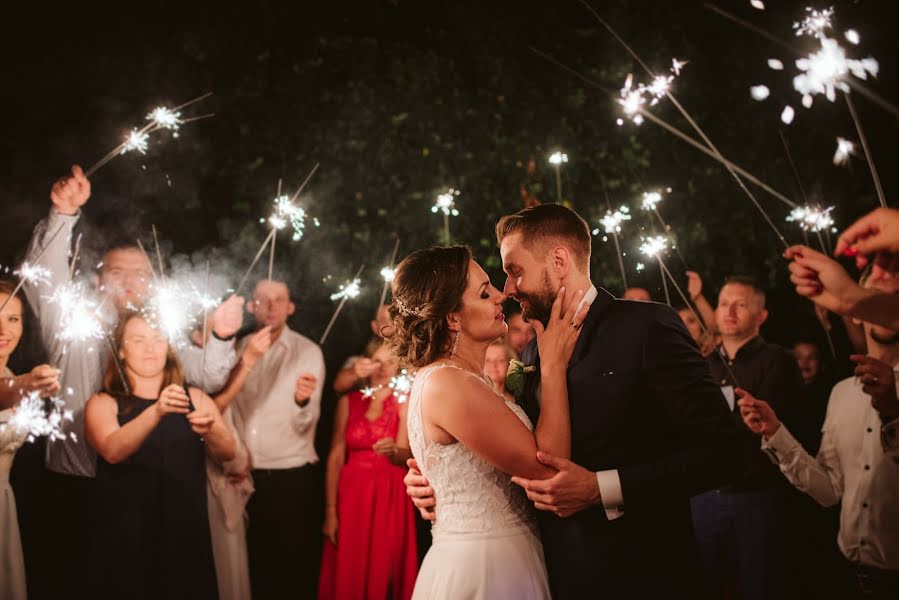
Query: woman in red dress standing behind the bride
{"type": "Point", "coordinates": [370, 550]}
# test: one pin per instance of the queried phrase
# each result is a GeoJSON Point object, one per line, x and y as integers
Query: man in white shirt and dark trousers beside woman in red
{"type": "Point", "coordinates": [276, 413]}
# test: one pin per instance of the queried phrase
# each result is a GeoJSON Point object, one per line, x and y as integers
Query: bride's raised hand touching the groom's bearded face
{"type": "Point", "coordinates": [556, 340]}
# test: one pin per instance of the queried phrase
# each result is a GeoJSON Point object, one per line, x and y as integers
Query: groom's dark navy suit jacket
{"type": "Point", "coordinates": [642, 402]}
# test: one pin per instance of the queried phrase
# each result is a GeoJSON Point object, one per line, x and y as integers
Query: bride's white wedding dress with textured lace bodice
{"type": "Point", "coordinates": [486, 543]}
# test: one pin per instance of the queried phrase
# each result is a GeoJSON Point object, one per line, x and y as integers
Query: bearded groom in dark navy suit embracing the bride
{"type": "Point", "coordinates": [649, 428]}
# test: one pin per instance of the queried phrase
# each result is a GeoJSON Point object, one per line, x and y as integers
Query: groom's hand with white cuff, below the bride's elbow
{"type": "Point", "coordinates": [569, 491]}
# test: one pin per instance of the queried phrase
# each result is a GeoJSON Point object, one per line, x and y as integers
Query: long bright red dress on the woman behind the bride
{"type": "Point", "coordinates": [376, 552]}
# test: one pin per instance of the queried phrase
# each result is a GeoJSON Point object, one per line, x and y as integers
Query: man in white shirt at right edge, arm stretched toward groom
{"type": "Point", "coordinates": [857, 460]}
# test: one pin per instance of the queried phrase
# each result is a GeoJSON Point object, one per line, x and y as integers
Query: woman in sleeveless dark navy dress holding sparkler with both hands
{"type": "Point", "coordinates": [151, 534]}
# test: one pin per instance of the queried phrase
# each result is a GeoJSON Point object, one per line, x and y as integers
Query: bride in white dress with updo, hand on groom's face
{"type": "Point", "coordinates": [467, 439]}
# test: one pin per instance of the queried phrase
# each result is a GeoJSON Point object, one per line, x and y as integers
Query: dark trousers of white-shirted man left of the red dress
{"type": "Point", "coordinates": [284, 537]}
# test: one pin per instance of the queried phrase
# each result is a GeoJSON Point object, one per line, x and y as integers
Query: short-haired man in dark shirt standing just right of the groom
{"type": "Point", "coordinates": [735, 525]}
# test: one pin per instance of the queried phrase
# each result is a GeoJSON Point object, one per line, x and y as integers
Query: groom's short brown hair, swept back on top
{"type": "Point", "coordinates": [546, 224]}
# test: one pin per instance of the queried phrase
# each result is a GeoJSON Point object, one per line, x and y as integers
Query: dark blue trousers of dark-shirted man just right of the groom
{"type": "Point", "coordinates": [735, 533]}
